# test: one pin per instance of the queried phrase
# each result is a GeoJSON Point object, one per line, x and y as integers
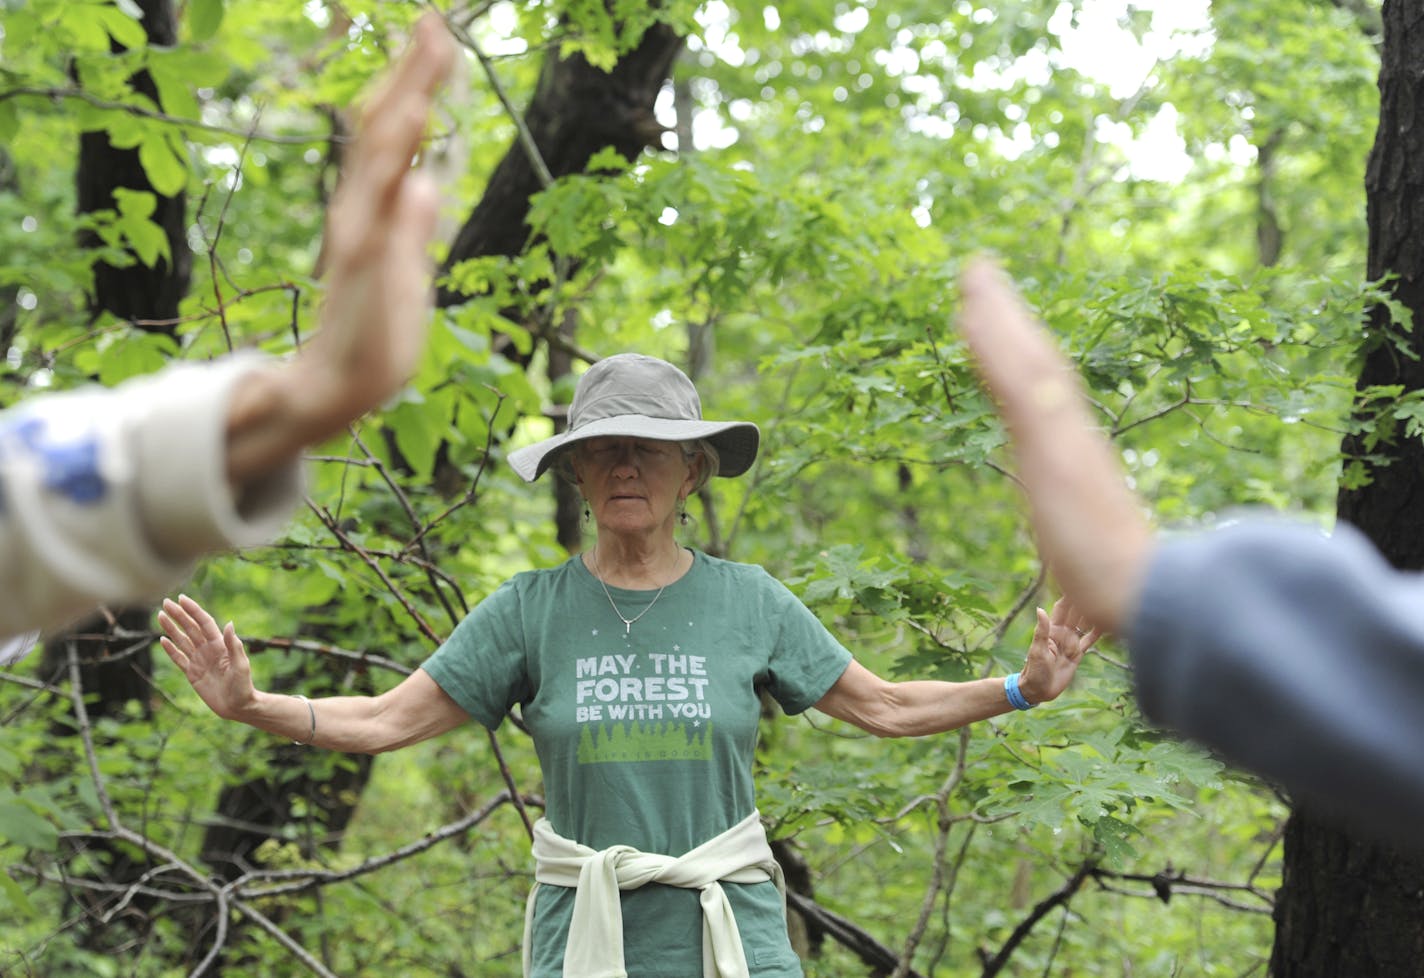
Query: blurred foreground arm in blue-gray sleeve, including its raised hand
{"type": "Point", "coordinates": [1294, 654]}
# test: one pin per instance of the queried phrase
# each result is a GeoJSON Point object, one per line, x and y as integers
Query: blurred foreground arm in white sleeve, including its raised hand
{"type": "Point", "coordinates": [112, 495]}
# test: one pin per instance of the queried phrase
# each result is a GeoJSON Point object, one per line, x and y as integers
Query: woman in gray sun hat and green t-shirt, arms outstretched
{"type": "Point", "coordinates": [637, 668]}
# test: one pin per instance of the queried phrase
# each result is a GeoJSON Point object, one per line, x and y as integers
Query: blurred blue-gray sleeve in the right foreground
{"type": "Point", "coordinates": [1297, 656]}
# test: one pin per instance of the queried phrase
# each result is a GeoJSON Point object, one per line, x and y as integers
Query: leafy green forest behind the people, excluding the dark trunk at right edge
{"type": "Point", "coordinates": [777, 197]}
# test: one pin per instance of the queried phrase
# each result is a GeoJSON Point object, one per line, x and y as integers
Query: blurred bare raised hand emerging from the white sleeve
{"type": "Point", "coordinates": [378, 277]}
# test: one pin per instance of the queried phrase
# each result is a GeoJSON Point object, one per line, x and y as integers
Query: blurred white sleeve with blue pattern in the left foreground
{"type": "Point", "coordinates": [110, 496]}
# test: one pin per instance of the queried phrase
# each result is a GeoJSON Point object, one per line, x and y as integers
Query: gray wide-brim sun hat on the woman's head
{"type": "Point", "coordinates": [636, 396]}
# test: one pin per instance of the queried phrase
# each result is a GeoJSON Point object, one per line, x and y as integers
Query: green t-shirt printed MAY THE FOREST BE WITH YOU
{"type": "Point", "coordinates": [646, 738]}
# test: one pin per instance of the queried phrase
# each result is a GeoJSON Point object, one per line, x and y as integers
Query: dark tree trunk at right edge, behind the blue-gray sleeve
{"type": "Point", "coordinates": [1351, 908]}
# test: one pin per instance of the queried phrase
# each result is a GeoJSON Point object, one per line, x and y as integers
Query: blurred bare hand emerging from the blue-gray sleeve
{"type": "Point", "coordinates": [1090, 526]}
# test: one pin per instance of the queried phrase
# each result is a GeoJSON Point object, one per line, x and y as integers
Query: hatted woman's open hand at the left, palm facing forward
{"type": "Point", "coordinates": [213, 660]}
